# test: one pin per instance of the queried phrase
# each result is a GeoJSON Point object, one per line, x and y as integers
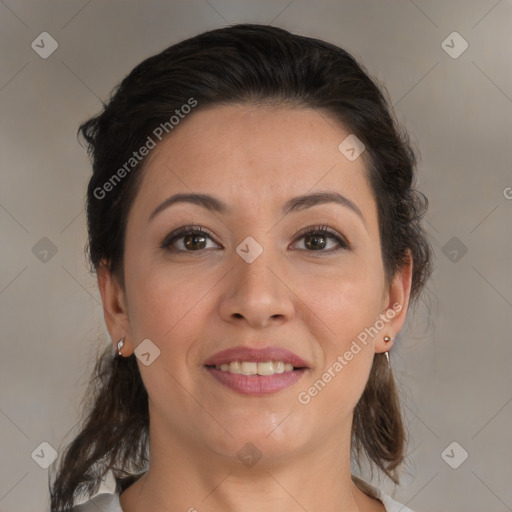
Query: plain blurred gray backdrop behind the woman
{"type": "Point", "coordinates": [453, 360]}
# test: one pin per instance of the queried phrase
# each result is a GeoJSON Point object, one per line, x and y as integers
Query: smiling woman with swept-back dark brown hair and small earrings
{"type": "Point", "coordinates": [257, 240]}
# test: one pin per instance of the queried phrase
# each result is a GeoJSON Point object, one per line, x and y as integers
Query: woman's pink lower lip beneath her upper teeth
{"type": "Point", "coordinates": [256, 384]}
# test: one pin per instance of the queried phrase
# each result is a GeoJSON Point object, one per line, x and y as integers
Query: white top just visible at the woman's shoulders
{"type": "Point", "coordinates": [107, 497]}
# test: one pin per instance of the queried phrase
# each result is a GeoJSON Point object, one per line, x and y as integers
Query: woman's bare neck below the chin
{"type": "Point", "coordinates": [185, 476]}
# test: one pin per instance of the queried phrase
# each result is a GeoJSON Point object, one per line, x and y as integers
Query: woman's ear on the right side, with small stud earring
{"type": "Point", "coordinates": [396, 304]}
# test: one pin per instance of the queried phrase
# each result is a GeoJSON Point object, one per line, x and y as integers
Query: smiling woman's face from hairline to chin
{"type": "Point", "coordinates": [255, 278]}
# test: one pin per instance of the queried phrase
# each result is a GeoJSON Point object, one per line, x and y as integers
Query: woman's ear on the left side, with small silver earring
{"type": "Point", "coordinates": [114, 308]}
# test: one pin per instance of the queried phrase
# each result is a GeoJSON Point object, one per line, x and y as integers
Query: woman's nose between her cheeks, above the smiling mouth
{"type": "Point", "coordinates": [257, 293]}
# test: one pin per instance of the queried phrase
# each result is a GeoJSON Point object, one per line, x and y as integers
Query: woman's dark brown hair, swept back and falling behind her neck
{"type": "Point", "coordinates": [246, 63]}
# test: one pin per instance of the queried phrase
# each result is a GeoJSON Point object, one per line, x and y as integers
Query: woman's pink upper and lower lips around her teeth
{"type": "Point", "coordinates": [256, 384]}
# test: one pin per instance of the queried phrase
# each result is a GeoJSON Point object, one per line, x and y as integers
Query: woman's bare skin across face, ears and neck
{"type": "Point", "coordinates": [193, 304]}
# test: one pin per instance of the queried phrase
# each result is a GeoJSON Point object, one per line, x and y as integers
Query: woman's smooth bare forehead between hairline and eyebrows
{"type": "Point", "coordinates": [253, 157]}
